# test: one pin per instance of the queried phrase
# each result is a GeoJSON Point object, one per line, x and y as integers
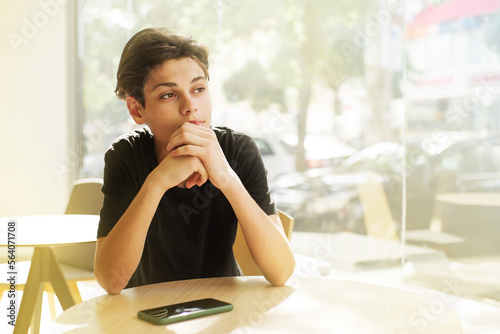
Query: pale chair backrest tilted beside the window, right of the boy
{"type": "Point", "coordinates": [377, 214]}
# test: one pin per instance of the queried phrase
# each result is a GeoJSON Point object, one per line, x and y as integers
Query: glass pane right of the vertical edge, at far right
{"type": "Point", "coordinates": [453, 122]}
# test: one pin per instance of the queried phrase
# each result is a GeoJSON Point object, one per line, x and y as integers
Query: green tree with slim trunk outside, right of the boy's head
{"type": "Point", "coordinates": [306, 49]}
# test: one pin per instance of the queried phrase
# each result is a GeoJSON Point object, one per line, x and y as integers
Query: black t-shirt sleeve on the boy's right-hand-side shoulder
{"type": "Point", "coordinates": [252, 172]}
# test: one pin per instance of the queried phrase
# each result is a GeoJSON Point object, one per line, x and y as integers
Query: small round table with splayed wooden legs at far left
{"type": "Point", "coordinates": [43, 232]}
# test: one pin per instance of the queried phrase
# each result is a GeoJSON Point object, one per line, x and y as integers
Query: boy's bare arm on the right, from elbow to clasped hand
{"type": "Point", "coordinates": [264, 234]}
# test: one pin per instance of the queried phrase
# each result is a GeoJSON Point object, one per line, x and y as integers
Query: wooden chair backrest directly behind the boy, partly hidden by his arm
{"type": "Point", "coordinates": [242, 253]}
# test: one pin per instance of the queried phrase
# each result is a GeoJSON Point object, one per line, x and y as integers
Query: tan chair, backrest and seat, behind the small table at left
{"type": "Point", "coordinates": [86, 199]}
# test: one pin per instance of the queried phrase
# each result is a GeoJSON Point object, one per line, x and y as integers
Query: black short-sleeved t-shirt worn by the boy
{"type": "Point", "coordinates": [193, 230]}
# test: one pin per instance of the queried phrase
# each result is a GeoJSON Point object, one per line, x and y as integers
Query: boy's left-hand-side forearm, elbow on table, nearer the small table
{"type": "Point", "coordinates": [118, 254]}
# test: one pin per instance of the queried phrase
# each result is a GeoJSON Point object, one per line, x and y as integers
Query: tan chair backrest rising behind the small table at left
{"type": "Point", "coordinates": [86, 197]}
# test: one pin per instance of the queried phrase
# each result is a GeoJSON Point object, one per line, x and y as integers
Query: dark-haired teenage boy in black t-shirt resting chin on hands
{"type": "Point", "coordinates": [175, 190]}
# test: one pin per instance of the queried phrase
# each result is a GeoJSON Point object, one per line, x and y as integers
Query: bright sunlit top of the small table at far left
{"type": "Point", "coordinates": [47, 230]}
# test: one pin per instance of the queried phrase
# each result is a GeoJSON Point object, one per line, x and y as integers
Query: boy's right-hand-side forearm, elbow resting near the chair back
{"type": "Point", "coordinates": [265, 238]}
